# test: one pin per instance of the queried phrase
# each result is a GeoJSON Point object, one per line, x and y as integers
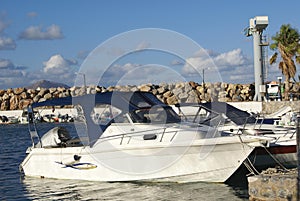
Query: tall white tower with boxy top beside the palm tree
{"type": "Point", "coordinates": [255, 29]}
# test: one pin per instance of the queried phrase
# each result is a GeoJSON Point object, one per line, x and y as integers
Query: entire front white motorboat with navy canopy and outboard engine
{"type": "Point", "coordinates": [129, 136]}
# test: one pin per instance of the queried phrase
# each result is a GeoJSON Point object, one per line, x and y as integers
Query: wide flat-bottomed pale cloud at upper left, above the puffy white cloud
{"type": "Point", "coordinates": [37, 33]}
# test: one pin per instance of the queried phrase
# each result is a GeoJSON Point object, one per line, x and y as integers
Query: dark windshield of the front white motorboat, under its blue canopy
{"type": "Point", "coordinates": [156, 114]}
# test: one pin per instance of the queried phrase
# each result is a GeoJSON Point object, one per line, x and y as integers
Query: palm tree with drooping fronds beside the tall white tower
{"type": "Point", "coordinates": [287, 43]}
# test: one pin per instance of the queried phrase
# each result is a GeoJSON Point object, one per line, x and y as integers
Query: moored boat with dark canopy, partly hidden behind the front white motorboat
{"type": "Point", "coordinates": [281, 150]}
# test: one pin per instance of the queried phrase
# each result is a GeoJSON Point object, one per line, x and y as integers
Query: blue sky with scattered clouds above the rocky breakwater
{"type": "Point", "coordinates": [51, 39]}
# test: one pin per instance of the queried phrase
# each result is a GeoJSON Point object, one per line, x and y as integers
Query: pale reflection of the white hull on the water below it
{"type": "Point", "coordinates": [52, 189]}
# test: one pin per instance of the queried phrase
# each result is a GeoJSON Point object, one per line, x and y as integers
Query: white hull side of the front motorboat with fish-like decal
{"type": "Point", "coordinates": [211, 160]}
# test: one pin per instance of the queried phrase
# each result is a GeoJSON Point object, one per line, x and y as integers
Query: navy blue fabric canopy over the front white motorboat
{"type": "Point", "coordinates": [127, 102]}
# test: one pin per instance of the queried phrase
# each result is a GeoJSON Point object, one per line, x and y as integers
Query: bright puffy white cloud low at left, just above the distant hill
{"type": "Point", "coordinates": [58, 65]}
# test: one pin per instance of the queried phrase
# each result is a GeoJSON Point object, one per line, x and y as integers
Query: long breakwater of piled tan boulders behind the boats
{"type": "Point", "coordinates": [182, 92]}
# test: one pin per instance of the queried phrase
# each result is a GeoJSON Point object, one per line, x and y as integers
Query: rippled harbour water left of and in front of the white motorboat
{"type": "Point", "coordinates": [14, 140]}
